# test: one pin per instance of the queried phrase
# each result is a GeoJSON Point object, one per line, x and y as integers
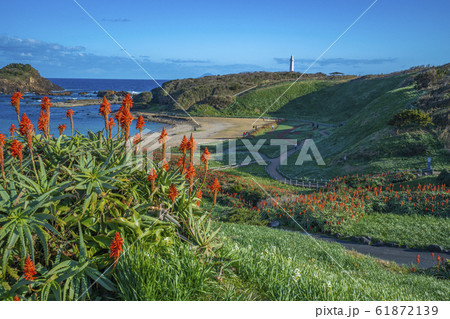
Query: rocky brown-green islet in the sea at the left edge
{"type": "Point", "coordinates": [24, 78]}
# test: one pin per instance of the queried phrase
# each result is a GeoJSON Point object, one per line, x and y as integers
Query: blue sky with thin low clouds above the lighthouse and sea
{"type": "Point", "coordinates": [178, 39]}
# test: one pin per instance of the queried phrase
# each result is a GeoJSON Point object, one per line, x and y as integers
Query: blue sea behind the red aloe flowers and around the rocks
{"type": "Point", "coordinates": [86, 118]}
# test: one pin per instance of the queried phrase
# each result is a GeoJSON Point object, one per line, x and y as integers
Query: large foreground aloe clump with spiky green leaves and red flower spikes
{"type": "Point", "coordinates": [71, 206]}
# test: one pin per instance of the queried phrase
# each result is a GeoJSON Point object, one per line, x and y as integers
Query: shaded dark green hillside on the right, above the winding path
{"type": "Point", "coordinates": [359, 111]}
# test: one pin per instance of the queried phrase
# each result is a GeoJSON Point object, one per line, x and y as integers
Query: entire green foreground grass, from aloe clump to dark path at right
{"type": "Point", "coordinates": [259, 263]}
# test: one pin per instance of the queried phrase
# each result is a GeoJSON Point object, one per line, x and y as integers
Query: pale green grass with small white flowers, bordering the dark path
{"type": "Point", "coordinates": [290, 266]}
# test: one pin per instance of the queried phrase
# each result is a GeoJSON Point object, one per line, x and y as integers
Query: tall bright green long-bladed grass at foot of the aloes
{"type": "Point", "coordinates": [177, 273]}
